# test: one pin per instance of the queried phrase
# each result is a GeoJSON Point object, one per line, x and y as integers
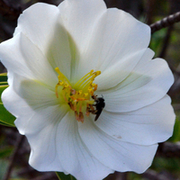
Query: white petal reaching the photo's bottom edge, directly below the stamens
{"type": "Point", "coordinates": [73, 155]}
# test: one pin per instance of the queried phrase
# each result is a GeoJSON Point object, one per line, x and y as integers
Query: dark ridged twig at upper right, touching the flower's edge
{"type": "Point", "coordinates": [165, 22]}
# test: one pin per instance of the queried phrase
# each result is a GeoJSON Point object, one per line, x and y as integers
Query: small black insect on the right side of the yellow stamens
{"type": "Point", "coordinates": [100, 104]}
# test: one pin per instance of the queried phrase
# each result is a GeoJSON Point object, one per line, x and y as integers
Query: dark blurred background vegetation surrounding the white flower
{"type": "Point", "coordinates": [14, 149]}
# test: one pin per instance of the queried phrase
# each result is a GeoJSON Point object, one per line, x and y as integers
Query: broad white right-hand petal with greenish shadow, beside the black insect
{"type": "Point", "coordinates": [146, 84]}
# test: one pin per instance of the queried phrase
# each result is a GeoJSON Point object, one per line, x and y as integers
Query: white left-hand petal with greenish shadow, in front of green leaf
{"type": "Point", "coordinates": [24, 97]}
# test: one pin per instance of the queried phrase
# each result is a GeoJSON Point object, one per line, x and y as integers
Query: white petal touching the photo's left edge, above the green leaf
{"type": "Point", "coordinates": [24, 58]}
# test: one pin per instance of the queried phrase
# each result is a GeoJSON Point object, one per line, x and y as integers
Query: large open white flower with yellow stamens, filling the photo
{"type": "Point", "coordinates": [52, 49]}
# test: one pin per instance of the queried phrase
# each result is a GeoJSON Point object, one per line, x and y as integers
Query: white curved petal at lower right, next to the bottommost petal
{"type": "Point", "coordinates": [116, 154]}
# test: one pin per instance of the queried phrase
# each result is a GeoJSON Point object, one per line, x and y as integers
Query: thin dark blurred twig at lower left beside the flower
{"type": "Point", "coordinates": [9, 169]}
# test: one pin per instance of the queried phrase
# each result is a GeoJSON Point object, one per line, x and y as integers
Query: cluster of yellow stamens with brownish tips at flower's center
{"type": "Point", "coordinates": [80, 96]}
